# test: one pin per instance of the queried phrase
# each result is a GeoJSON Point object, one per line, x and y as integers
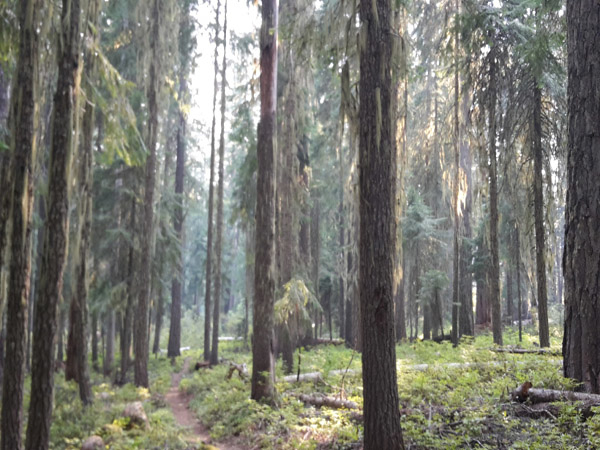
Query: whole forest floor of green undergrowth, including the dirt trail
{"type": "Point", "coordinates": [451, 398]}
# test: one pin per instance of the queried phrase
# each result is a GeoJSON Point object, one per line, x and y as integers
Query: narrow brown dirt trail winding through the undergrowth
{"type": "Point", "coordinates": [179, 403]}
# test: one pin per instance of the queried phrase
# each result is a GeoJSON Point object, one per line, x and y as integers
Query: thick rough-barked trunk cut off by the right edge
{"type": "Point", "coordinates": [582, 230]}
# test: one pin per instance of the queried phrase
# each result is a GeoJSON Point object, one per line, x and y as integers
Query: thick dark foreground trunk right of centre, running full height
{"type": "Point", "coordinates": [377, 186]}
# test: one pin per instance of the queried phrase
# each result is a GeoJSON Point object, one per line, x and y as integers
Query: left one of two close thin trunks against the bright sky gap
{"type": "Point", "coordinates": [211, 189]}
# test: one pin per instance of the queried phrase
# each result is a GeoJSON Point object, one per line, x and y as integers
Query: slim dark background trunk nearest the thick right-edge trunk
{"type": "Point", "coordinates": [538, 206]}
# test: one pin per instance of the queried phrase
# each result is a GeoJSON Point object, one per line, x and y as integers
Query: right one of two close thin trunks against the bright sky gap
{"type": "Point", "coordinates": [214, 354]}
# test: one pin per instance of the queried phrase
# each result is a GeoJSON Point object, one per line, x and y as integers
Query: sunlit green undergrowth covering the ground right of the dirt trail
{"type": "Point", "coordinates": [460, 400]}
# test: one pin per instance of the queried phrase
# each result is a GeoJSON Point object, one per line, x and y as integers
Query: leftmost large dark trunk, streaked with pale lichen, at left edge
{"type": "Point", "coordinates": [22, 145]}
